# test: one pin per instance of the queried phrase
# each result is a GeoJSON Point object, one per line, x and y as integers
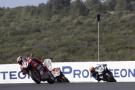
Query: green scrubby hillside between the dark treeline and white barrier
{"type": "Point", "coordinates": [66, 38]}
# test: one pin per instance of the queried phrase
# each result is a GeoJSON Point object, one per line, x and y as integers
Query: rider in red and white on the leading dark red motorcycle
{"type": "Point", "coordinates": [23, 62]}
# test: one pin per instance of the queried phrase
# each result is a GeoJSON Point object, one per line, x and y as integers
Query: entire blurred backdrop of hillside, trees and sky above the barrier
{"type": "Point", "coordinates": [66, 30]}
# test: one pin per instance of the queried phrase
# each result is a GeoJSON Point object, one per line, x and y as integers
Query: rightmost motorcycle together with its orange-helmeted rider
{"type": "Point", "coordinates": [102, 73]}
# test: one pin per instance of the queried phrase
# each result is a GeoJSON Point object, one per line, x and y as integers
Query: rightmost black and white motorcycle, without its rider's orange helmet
{"type": "Point", "coordinates": [103, 73]}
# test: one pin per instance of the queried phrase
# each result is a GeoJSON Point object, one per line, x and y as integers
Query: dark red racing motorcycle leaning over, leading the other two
{"type": "Point", "coordinates": [39, 73]}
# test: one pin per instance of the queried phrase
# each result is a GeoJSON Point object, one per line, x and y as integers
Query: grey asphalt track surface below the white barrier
{"type": "Point", "coordinates": [70, 86]}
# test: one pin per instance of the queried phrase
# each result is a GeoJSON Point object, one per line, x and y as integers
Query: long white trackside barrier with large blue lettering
{"type": "Point", "coordinates": [123, 71]}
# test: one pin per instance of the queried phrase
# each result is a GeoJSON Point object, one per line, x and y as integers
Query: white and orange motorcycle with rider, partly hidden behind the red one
{"type": "Point", "coordinates": [56, 72]}
